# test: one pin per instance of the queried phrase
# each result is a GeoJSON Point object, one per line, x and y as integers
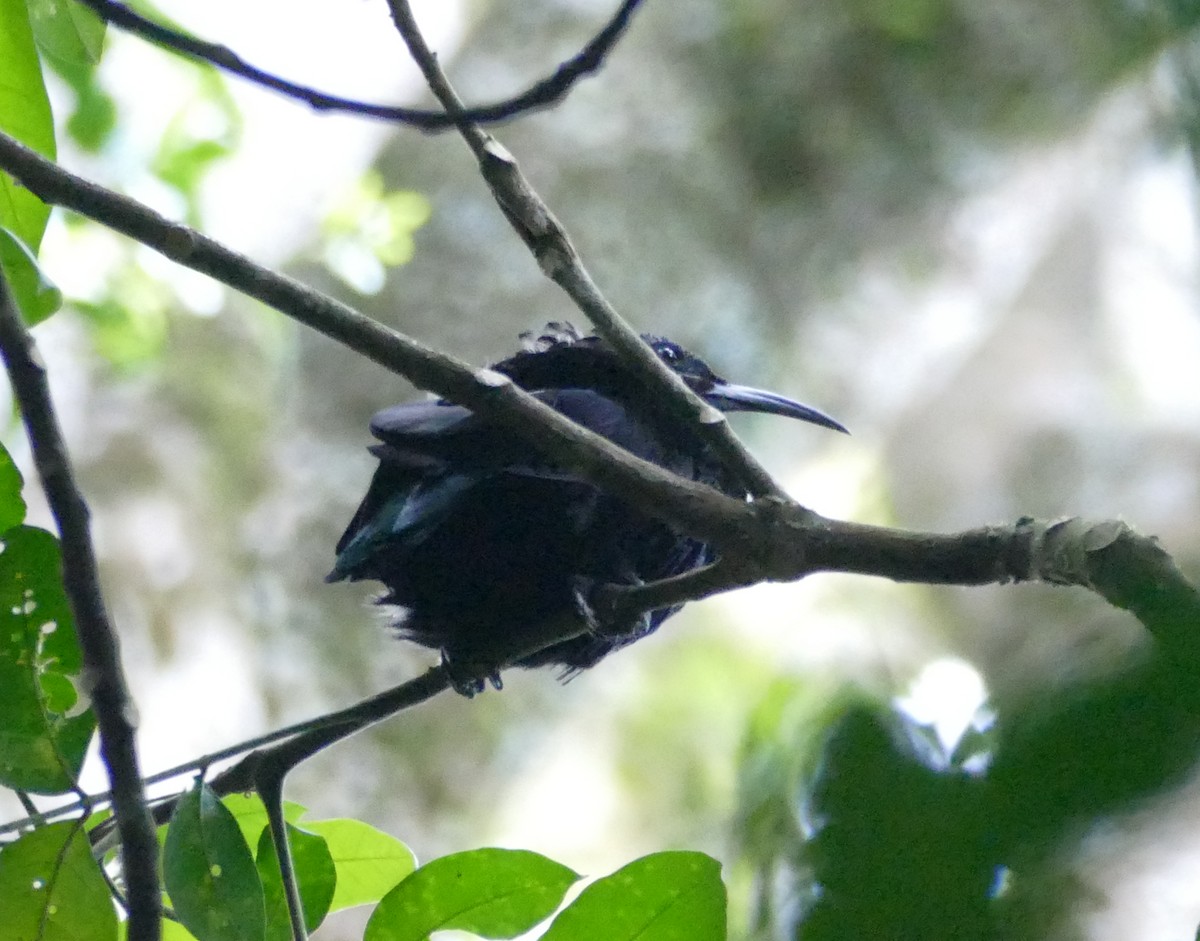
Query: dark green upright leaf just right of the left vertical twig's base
{"type": "Point", "coordinates": [209, 872]}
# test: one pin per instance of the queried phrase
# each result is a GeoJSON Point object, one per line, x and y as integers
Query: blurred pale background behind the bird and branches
{"type": "Point", "coordinates": [968, 231]}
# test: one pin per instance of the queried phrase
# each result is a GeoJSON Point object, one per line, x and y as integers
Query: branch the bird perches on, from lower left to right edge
{"type": "Point", "coordinates": [1107, 558]}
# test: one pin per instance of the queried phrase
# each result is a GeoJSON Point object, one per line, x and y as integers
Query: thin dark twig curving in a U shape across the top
{"type": "Point", "coordinates": [542, 94]}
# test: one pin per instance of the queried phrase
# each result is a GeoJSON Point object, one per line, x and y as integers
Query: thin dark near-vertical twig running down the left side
{"type": "Point", "coordinates": [101, 657]}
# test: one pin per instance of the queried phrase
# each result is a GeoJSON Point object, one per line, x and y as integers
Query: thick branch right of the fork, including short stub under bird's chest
{"type": "Point", "coordinates": [1108, 558]}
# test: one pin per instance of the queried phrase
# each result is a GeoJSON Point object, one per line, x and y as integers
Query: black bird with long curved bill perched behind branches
{"type": "Point", "coordinates": [481, 540]}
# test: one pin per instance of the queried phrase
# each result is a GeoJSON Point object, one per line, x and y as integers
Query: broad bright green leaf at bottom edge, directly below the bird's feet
{"type": "Point", "coordinates": [495, 894]}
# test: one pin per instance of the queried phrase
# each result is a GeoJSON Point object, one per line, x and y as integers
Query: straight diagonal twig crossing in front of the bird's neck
{"type": "Point", "coordinates": [557, 257]}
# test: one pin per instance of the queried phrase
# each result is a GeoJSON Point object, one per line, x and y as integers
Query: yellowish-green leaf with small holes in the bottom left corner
{"type": "Point", "coordinates": [52, 889]}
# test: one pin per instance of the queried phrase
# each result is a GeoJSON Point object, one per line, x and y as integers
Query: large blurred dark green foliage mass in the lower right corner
{"type": "Point", "coordinates": [880, 830]}
